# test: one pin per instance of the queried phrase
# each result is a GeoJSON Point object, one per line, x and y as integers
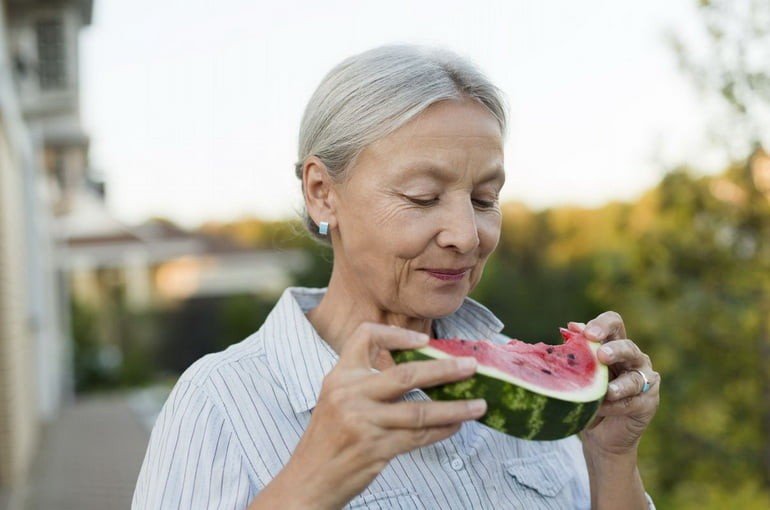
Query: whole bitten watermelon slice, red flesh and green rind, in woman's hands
{"type": "Point", "coordinates": [533, 391]}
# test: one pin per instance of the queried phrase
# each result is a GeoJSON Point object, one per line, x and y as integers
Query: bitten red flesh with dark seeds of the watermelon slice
{"type": "Point", "coordinates": [566, 367]}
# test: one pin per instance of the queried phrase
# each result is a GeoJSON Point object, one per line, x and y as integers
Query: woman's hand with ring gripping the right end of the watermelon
{"type": "Point", "coordinates": [626, 411]}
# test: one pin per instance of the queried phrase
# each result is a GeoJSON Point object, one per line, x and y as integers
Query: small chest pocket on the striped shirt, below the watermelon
{"type": "Point", "coordinates": [541, 478]}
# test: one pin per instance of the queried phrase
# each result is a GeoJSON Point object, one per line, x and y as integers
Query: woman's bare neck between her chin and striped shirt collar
{"type": "Point", "coordinates": [344, 307]}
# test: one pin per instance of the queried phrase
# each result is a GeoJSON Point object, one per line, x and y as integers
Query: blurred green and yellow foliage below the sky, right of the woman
{"type": "Point", "coordinates": [688, 267]}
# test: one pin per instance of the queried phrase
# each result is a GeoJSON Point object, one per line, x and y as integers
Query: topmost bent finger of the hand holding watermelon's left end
{"type": "Point", "coordinates": [369, 339]}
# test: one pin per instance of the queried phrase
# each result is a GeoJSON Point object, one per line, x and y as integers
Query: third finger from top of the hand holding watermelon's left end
{"type": "Point", "coordinates": [421, 414]}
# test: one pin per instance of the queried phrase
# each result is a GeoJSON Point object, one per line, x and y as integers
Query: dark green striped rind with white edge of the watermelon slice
{"type": "Point", "coordinates": [514, 407]}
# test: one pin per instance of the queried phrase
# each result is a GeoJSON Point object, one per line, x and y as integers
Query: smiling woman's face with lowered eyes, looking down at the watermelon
{"type": "Point", "coordinates": [418, 213]}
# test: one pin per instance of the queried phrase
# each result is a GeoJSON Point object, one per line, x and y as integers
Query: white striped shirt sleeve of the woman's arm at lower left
{"type": "Point", "coordinates": [193, 459]}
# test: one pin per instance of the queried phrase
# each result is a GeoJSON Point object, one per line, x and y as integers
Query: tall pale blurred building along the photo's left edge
{"type": "Point", "coordinates": [42, 151]}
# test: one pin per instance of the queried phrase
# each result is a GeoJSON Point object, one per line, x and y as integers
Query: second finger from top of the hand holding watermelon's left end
{"type": "Point", "coordinates": [397, 380]}
